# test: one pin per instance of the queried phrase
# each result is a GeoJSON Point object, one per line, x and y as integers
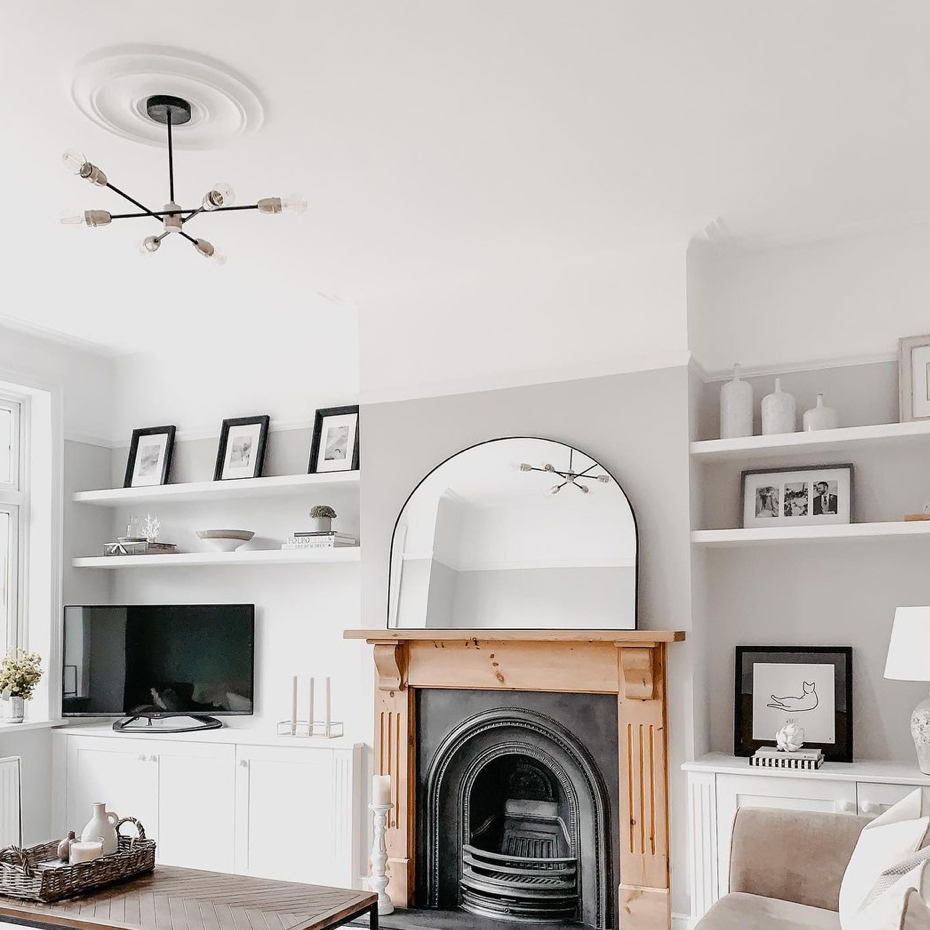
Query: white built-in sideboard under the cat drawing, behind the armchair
{"type": "Point", "coordinates": [719, 784]}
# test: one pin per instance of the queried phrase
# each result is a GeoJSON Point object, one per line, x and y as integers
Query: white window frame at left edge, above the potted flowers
{"type": "Point", "coordinates": [14, 501]}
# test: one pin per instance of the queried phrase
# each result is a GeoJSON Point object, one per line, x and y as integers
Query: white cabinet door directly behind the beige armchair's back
{"type": "Point", "coordinates": [779, 791]}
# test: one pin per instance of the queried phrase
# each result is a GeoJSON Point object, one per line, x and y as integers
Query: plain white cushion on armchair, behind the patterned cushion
{"type": "Point", "coordinates": [884, 843]}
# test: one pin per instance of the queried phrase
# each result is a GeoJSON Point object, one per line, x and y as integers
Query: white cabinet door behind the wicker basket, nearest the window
{"type": "Point", "coordinates": [121, 773]}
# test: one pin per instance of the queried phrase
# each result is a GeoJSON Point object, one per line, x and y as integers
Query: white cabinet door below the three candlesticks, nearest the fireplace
{"type": "Point", "coordinates": [285, 815]}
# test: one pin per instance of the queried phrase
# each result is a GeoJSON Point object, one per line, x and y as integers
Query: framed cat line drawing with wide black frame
{"type": "Point", "coordinates": [810, 686]}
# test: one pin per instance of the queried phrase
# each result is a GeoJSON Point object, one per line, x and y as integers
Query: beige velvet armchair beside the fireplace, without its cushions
{"type": "Point", "coordinates": [785, 871]}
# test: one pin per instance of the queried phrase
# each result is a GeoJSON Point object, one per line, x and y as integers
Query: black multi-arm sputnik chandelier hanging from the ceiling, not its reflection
{"type": "Point", "coordinates": [170, 111]}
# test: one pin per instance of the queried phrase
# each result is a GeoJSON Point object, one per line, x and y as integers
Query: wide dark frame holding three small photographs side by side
{"type": "Point", "coordinates": [807, 496]}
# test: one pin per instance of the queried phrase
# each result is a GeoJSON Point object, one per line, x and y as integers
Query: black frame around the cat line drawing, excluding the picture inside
{"type": "Point", "coordinates": [841, 657]}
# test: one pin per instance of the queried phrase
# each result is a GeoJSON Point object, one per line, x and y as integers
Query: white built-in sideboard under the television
{"type": "Point", "coordinates": [224, 800]}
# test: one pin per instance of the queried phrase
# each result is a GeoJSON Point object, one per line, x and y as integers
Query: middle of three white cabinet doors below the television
{"type": "Point", "coordinates": [196, 805]}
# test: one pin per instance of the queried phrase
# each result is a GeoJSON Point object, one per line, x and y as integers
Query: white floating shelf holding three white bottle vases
{"type": "Point", "coordinates": [761, 447]}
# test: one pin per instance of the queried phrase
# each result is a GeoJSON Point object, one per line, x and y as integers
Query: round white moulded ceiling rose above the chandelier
{"type": "Point", "coordinates": [111, 88]}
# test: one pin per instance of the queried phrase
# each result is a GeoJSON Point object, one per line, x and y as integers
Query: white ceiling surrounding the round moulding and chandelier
{"type": "Point", "coordinates": [447, 143]}
